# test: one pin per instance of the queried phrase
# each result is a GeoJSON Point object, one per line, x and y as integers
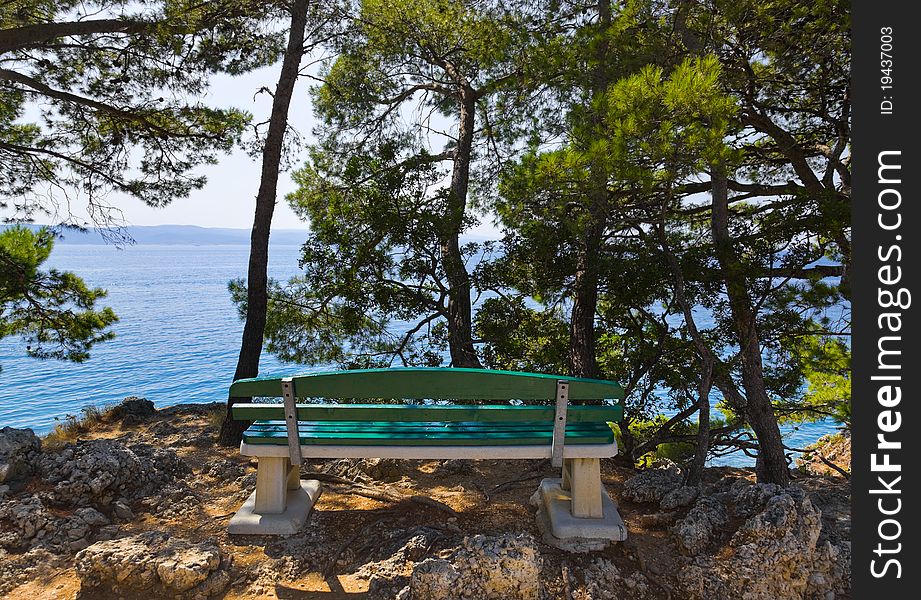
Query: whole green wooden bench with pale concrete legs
{"type": "Point", "coordinates": [573, 436]}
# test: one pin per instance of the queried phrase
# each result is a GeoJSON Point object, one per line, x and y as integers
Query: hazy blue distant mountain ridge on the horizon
{"type": "Point", "coordinates": [191, 235]}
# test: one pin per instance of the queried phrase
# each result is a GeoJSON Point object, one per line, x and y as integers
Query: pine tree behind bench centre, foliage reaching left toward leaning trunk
{"type": "Point", "coordinates": [405, 107]}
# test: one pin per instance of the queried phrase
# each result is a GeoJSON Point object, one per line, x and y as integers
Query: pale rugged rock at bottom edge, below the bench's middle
{"type": "Point", "coordinates": [505, 567]}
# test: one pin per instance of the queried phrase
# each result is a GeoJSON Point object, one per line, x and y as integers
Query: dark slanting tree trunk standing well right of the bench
{"type": "Point", "coordinates": [772, 463]}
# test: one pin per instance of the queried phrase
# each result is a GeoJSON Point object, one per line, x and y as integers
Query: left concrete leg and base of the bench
{"type": "Point", "coordinates": [281, 502]}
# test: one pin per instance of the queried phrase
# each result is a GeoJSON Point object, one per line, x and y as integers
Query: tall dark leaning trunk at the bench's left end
{"type": "Point", "coordinates": [257, 275]}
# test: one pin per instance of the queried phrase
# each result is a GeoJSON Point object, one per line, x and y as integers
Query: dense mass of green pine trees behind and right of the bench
{"type": "Point", "coordinates": [672, 191]}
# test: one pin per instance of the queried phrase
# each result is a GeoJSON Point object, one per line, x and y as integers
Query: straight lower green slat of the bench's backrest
{"type": "Point", "coordinates": [431, 413]}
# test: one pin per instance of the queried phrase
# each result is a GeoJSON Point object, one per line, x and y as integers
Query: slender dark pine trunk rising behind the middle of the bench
{"type": "Point", "coordinates": [460, 320]}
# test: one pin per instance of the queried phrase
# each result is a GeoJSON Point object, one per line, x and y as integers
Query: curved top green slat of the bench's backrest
{"type": "Point", "coordinates": [421, 383]}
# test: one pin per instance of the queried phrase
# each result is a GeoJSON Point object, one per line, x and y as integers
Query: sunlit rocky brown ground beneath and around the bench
{"type": "Point", "coordinates": [137, 508]}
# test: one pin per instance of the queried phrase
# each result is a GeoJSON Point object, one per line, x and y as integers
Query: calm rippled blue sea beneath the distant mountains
{"type": "Point", "coordinates": [177, 338]}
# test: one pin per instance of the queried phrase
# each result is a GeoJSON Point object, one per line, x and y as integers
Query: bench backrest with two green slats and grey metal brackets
{"type": "Point", "coordinates": [429, 384]}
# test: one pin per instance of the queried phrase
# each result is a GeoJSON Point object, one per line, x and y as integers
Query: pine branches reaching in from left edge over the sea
{"type": "Point", "coordinates": [102, 101]}
